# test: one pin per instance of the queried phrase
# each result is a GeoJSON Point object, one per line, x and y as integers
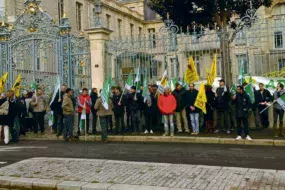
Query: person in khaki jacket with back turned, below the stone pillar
{"type": "Point", "coordinates": [104, 115]}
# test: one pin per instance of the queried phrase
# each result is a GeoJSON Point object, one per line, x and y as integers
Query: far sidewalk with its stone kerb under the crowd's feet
{"type": "Point", "coordinates": [263, 138]}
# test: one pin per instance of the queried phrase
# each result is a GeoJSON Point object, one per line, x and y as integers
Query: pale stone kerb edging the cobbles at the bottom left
{"type": "Point", "coordinates": [46, 184]}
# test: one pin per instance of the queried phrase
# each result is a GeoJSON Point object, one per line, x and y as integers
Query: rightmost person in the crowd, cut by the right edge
{"type": "Point", "coordinates": [278, 111]}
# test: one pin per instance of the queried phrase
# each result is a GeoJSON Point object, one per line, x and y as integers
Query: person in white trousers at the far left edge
{"type": "Point", "coordinates": [4, 119]}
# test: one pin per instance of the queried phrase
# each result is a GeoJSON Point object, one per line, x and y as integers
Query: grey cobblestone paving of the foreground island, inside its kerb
{"type": "Point", "coordinates": [146, 174]}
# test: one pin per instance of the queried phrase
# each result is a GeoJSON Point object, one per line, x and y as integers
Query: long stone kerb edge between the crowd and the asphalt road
{"type": "Point", "coordinates": [175, 139]}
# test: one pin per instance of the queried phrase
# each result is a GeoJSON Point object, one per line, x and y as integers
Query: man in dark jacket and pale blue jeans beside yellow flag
{"type": "Point", "coordinates": [194, 111]}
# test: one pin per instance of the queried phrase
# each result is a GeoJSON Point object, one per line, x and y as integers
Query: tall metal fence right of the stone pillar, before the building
{"type": "Point", "coordinates": [256, 47]}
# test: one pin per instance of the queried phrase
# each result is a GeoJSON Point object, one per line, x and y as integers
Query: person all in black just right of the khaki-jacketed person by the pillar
{"type": "Point", "coordinates": [118, 101]}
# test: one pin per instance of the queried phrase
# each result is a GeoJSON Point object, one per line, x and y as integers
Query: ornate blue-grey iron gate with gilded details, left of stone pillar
{"type": "Point", "coordinates": [39, 50]}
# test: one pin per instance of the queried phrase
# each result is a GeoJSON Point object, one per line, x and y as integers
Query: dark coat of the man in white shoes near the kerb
{"type": "Point", "coordinates": [243, 105]}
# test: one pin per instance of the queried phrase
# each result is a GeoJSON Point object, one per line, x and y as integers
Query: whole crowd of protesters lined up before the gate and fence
{"type": "Point", "coordinates": [175, 110]}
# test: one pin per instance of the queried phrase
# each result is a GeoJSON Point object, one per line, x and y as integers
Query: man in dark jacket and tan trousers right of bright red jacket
{"type": "Point", "coordinates": [180, 95]}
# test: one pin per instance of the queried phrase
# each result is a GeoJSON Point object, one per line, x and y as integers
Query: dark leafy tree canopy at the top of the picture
{"type": "Point", "coordinates": [205, 12]}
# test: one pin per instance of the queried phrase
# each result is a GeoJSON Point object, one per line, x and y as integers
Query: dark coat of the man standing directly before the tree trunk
{"type": "Point", "coordinates": [223, 99]}
